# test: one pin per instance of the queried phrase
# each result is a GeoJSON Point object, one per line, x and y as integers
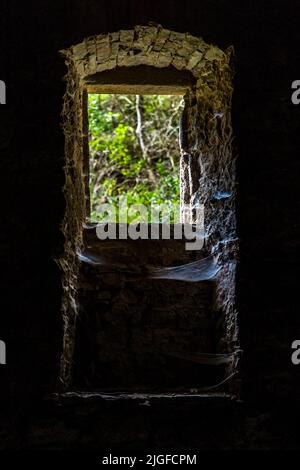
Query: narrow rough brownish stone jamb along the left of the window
{"type": "Point", "coordinates": [74, 217]}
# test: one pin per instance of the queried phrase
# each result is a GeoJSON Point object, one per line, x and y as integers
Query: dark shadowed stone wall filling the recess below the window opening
{"type": "Point", "coordinates": [136, 332]}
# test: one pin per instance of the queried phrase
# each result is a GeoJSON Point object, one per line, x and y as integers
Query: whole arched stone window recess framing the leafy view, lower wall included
{"type": "Point", "coordinates": [153, 60]}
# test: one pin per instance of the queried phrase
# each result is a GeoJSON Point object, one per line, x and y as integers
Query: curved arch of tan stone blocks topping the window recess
{"type": "Point", "coordinates": [152, 46]}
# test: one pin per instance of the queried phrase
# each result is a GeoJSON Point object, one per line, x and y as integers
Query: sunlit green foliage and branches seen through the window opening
{"type": "Point", "coordinates": [141, 163]}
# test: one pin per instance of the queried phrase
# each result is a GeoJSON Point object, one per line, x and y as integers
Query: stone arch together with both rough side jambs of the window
{"type": "Point", "coordinates": [207, 160]}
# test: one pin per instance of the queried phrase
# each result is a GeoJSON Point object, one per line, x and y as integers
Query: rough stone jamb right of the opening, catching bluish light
{"type": "Point", "coordinates": [208, 169]}
